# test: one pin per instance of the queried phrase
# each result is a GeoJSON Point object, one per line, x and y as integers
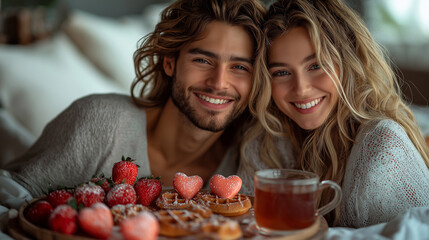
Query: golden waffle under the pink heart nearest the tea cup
{"type": "Point", "coordinates": [235, 206]}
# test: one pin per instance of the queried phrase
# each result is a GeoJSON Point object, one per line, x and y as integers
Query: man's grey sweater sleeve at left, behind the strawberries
{"type": "Point", "coordinates": [72, 148]}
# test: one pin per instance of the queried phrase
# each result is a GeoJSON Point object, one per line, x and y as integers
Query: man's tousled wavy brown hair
{"type": "Point", "coordinates": [183, 22]}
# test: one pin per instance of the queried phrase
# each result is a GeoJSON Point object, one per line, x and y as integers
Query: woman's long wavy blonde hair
{"type": "Point", "coordinates": [367, 85]}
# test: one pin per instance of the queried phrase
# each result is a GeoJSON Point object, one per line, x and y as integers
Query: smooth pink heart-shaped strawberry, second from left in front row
{"type": "Point", "coordinates": [96, 220]}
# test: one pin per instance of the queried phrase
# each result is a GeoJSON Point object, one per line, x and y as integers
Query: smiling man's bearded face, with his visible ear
{"type": "Point", "coordinates": [212, 77]}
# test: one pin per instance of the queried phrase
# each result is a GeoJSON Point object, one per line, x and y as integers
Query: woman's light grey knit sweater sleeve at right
{"type": "Point", "coordinates": [385, 176]}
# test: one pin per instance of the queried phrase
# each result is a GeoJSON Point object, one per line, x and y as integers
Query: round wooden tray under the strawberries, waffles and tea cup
{"type": "Point", "coordinates": [20, 228]}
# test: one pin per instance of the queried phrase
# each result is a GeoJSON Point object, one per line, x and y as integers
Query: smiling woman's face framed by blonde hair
{"type": "Point", "coordinates": [300, 88]}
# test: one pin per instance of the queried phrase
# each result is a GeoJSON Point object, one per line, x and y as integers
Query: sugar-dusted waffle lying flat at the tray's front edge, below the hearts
{"type": "Point", "coordinates": [180, 223]}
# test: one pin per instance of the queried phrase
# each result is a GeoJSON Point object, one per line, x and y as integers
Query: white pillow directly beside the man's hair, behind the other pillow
{"type": "Point", "coordinates": [108, 42]}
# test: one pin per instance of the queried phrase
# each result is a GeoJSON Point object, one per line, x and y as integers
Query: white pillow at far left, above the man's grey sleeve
{"type": "Point", "coordinates": [39, 81]}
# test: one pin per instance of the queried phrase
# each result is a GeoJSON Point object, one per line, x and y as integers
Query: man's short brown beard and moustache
{"type": "Point", "coordinates": [210, 124]}
